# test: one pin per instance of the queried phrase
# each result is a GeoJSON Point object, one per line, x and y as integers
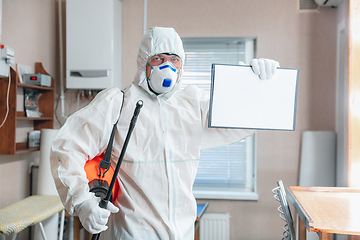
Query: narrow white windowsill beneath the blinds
{"type": "Point", "coordinates": [230, 195]}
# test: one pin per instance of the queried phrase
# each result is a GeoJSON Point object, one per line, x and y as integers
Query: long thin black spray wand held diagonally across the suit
{"type": "Point", "coordinates": [104, 202]}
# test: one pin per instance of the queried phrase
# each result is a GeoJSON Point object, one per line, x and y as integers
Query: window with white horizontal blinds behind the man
{"type": "Point", "coordinates": [234, 177]}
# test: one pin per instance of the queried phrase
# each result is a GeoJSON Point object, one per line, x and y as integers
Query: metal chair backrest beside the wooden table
{"type": "Point", "coordinates": [285, 214]}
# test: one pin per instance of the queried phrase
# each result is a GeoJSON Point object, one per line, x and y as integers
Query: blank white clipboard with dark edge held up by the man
{"type": "Point", "coordinates": [240, 99]}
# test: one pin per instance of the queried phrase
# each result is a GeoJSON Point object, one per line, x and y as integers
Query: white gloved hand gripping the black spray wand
{"type": "Point", "coordinates": [92, 217]}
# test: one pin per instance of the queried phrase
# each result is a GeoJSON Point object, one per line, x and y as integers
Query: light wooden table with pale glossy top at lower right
{"type": "Point", "coordinates": [327, 210]}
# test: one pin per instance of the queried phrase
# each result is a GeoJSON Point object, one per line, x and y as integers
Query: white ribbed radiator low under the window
{"type": "Point", "coordinates": [215, 226]}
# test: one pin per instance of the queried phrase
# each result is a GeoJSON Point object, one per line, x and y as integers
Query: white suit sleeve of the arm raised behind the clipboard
{"type": "Point", "coordinates": [216, 137]}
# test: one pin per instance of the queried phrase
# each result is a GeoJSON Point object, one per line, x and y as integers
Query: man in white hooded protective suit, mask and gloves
{"type": "Point", "coordinates": [160, 164]}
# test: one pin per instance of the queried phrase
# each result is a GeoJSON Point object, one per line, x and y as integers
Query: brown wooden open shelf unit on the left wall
{"type": "Point", "coordinates": [8, 144]}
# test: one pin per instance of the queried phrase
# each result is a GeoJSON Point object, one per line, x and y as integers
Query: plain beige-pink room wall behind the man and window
{"type": "Point", "coordinates": [300, 40]}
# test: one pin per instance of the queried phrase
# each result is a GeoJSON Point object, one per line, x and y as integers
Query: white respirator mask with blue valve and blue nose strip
{"type": "Point", "coordinates": [163, 77]}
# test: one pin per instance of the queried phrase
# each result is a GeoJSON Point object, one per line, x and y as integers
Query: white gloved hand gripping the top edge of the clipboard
{"type": "Point", "coordinates": [264, 68]}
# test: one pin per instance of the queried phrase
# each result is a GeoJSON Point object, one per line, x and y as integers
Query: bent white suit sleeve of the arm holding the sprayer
{"type": "Point", "coordinates": [84, 135]}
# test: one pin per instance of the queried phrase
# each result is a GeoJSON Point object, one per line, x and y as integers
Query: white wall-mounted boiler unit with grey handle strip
{"type": "Point", "coordinates": [93, 44]}
